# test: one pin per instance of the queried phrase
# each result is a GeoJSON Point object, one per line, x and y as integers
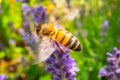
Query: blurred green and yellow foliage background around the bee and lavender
{"type": "Point", "coordinates": [97, 26]}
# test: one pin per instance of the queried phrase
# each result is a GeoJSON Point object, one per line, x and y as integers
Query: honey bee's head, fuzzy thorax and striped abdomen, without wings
{"type": "Point", "coordinates": [59, 35]}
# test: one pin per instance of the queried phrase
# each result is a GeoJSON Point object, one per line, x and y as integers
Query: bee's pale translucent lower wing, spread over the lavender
{"type": "Point", "coordinates": [44, 50]}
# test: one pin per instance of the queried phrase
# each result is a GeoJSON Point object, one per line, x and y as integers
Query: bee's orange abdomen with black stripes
{"type": "Point", "coordinates": [67, 39]}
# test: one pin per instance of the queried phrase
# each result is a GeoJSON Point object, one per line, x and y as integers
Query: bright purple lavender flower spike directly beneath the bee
{"type": "Point", "coordinates": [62, 66]}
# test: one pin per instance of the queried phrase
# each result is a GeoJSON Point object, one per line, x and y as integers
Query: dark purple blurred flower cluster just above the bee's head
{"type": "Point", "coordinates": [39, 15]}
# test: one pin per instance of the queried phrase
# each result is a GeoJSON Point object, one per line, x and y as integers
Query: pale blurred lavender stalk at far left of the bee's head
{"type": "Point", "coordinates": [26, 33]}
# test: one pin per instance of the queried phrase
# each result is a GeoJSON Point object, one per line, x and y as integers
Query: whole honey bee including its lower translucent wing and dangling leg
{"type": "Point", "coordinates": [48, 32]}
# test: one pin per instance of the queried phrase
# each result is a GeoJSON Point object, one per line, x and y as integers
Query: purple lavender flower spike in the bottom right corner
{"type": "Point", "coordinates": [112, 71]}
